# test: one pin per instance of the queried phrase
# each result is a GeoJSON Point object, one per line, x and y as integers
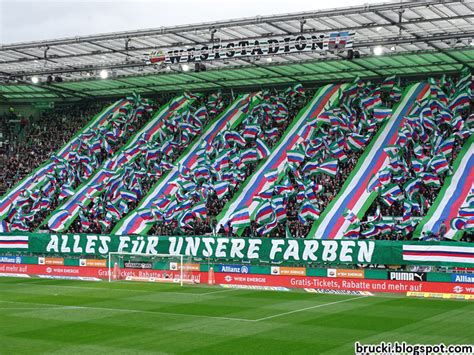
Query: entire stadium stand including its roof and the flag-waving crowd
{"type": "Point", "coordinates": [351, 126]}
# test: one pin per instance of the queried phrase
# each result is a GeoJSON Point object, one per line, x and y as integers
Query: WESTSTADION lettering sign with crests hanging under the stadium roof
{"type": "Point", "coordinates": [252, 48]}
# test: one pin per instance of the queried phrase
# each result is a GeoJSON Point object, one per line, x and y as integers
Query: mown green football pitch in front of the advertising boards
{"type": "Point", "coordinates": [73, 317]}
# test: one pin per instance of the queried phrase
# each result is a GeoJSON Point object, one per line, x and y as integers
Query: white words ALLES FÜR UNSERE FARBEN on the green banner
{"type": "Point", "coordinates": [348, 251]}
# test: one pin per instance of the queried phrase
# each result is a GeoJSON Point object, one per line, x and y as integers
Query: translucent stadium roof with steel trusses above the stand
{"type": "Point", "coordinates": [417, 37]}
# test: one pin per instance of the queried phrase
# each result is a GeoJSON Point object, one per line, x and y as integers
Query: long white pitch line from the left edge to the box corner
{"type": "Point", "coordinates": [126, 310]}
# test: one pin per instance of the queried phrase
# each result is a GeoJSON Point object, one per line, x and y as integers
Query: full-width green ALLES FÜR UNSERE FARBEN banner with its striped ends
{"type": "Point", "coordinates": [246, 249]}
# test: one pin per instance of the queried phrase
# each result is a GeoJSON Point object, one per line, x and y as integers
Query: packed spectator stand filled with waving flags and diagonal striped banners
{"type": "Point", "coordinates": [357, 160]}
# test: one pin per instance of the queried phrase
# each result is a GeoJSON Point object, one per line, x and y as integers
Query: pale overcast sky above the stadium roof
{"type": "Point", "coordinates": [32, 20]}
